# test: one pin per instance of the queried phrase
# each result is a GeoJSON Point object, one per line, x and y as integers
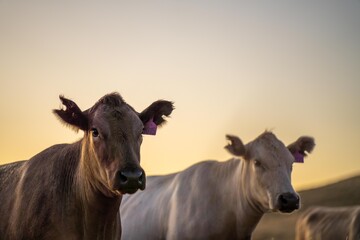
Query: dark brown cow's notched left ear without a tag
{"type": "Point", "coordinates": [71, 115]}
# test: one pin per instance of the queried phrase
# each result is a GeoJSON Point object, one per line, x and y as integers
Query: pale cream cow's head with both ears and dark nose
{"type": "Point", "coordinates": [267, 170]}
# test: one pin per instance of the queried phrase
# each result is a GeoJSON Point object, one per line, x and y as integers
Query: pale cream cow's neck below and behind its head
{"type": "Point", "coordinates": [248, 211]}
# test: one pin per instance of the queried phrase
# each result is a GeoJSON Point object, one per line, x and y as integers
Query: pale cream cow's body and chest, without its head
{"type": "Point", "coordinates": [184, 206]}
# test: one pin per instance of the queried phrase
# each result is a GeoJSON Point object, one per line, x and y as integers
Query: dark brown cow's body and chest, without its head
{"type": "Point", "coordinates": [41, 199]}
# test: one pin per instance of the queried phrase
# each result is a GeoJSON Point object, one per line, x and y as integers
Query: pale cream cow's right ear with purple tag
{"type": "Point", "coordinates": [301, 147]}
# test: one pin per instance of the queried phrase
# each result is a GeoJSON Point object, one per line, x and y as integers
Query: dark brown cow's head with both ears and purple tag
{"type": "Point", "coordinates": [113, 135]}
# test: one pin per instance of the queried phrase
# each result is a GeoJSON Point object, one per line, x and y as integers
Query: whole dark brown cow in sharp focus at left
{"type": "Point", "coordinates": [73, 191]}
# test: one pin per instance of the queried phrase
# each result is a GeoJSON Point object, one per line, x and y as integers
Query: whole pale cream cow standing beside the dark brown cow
{"type": "Point", "coordinates": [217, 200]}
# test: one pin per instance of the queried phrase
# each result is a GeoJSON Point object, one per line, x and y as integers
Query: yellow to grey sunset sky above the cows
{"type": "Point", "coordinates": [238, 67]}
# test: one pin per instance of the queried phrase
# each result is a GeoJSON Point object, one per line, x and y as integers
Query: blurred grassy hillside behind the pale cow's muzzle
{"type": "Point", "coordinates": [282, 226]}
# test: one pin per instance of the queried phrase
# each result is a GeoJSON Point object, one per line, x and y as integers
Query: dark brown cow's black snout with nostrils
{"type": "Point", "coordinates": [131, 180]}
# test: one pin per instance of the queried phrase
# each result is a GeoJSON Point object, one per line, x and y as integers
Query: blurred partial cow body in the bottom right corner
{"type": "Point", "coordinates": [322, 223]}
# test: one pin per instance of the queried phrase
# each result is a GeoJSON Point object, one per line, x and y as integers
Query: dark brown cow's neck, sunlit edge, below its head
{"type": "Point", "coordinates": [99, 205]}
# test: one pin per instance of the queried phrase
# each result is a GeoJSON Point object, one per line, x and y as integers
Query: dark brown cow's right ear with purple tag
{"type": "Point", "coordinates": [153, 116]}
